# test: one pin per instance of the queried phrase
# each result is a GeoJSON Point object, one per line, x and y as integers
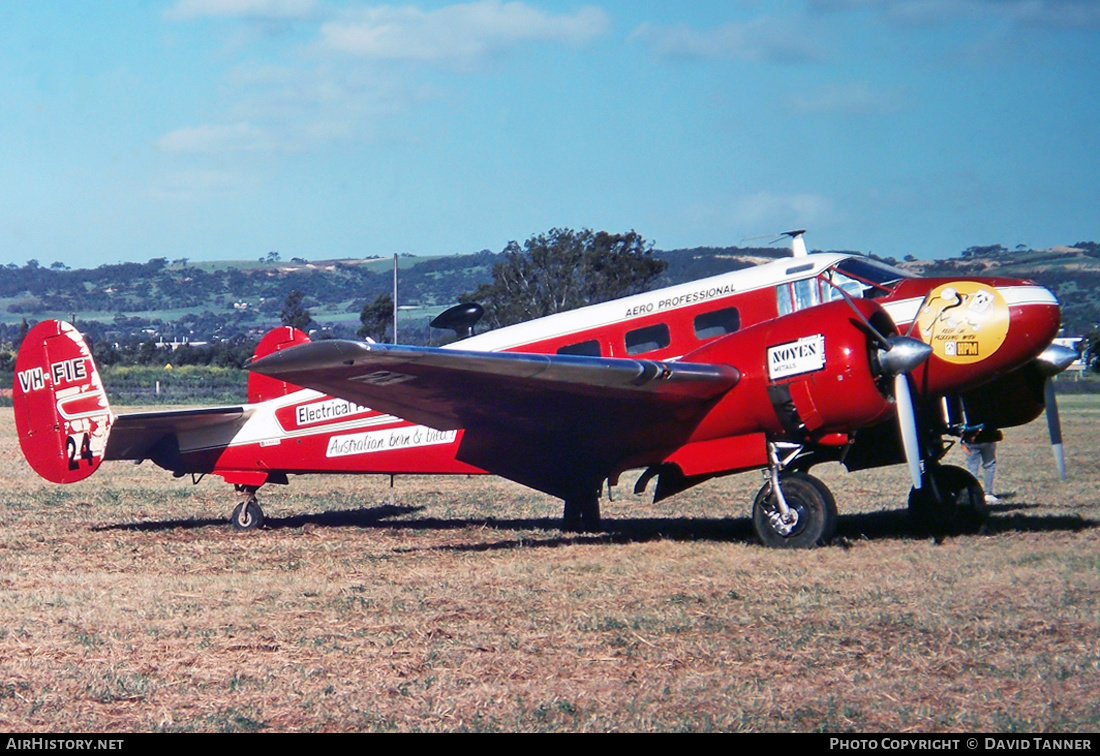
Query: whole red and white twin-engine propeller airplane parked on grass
{"type": "Point", "coordinates": [809, 359]}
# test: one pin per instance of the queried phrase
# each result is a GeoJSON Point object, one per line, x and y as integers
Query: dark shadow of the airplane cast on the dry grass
{"type": "Point", "coordinates": [884, 525]}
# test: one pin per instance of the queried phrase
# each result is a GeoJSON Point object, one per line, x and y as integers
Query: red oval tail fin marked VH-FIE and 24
{"type": "Point", "coordinates": [62, 415]}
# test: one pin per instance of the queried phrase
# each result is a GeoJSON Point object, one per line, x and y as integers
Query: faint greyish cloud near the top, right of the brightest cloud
{"type": "Point", "coordinates": [763, 40]}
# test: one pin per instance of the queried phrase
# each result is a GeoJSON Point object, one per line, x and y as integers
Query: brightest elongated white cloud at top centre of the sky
{"type": "Point", "coordinates": [463, 34]}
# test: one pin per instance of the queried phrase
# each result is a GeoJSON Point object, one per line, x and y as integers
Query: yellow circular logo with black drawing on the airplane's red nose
{"type": "Point", "coordinates": [964, 322]}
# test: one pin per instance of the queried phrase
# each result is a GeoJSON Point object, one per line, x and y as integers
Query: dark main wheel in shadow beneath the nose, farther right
{"type": "Point", "coordinates": [950, 502]}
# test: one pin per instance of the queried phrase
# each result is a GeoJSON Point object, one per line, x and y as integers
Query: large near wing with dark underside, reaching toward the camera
{"type": "Point", "coordinates": [533, 419]}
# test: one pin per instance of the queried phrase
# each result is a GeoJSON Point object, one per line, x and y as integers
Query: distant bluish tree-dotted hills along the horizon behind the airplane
{"type": "Point", "coordinates": [218, 302]}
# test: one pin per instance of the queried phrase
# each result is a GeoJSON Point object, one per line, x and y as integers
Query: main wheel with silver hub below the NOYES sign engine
{"type": "Point", "coordinates": [812, 509]}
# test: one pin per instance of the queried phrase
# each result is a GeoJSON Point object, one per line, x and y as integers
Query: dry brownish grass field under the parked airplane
{"type": "Point", "coordinates": [128, 605]}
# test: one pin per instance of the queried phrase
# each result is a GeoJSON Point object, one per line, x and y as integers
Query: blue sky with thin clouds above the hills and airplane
{"type": "Point", "coordinates": [226, 129]}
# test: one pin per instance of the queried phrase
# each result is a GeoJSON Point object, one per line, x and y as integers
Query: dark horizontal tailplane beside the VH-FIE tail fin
{"type": "Point", "coordinates": [156, 434]}
